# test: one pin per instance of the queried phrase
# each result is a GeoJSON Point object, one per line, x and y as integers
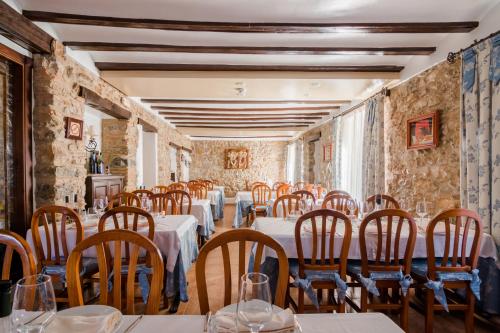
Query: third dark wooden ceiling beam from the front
{"type": "Point", "coordinates": [134, 66]}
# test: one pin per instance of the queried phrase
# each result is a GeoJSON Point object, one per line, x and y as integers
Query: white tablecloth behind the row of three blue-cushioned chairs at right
{"type": "Point", "coordinates": [284, 233]}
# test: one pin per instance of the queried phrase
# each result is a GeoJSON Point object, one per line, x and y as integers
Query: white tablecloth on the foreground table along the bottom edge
{"type": "Point", "coordinates": [310, 323]}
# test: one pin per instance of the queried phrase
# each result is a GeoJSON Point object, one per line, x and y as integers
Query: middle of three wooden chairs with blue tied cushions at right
{"type": "Point", "coordinates": [393, 264]}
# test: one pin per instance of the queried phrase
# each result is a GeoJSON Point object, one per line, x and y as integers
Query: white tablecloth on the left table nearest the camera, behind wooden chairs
{"type": "Point", "coordinates": [169, 231]}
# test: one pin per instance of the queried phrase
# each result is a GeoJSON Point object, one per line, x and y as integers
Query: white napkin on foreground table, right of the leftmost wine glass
{"type": "Point", "coordinates": [90, 323]}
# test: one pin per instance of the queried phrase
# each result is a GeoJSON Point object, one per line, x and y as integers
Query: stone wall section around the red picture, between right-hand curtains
{"type": "Point", "coordinates": [430, 174]}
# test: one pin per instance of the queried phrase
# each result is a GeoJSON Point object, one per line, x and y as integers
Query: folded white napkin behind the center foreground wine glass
{"type": "Point", "coordinates": [283, 321]}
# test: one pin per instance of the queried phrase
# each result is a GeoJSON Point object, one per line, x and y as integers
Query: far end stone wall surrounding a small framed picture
{"type": "Point", "coordinates": [267, 161]}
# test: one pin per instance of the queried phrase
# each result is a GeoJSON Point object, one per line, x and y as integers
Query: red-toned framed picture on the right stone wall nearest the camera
{"type": "Point", "coordinates": [423, 132]}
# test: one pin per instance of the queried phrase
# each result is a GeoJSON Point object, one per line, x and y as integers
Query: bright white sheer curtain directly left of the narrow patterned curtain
{"type": "Point", "coordinates": [350, 153]}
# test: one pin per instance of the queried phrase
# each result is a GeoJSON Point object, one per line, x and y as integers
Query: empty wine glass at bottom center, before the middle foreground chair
{"type": "Point", "coordinates": [254, 308]}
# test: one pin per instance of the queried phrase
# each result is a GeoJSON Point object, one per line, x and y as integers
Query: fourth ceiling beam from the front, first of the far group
{"type": "Point", "coordinates": [229, 101]}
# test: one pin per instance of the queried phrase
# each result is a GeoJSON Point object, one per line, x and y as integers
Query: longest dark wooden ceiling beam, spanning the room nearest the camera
{"type": "Point", "coordinates": [248, 27]}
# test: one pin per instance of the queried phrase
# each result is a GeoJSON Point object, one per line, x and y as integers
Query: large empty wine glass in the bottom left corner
{"type": "Point", "coordinates": [34, 304]}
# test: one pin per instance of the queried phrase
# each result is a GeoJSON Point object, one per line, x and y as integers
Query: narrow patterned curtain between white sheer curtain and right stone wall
{"type": "Point", "coordinates": [373, 178]}
